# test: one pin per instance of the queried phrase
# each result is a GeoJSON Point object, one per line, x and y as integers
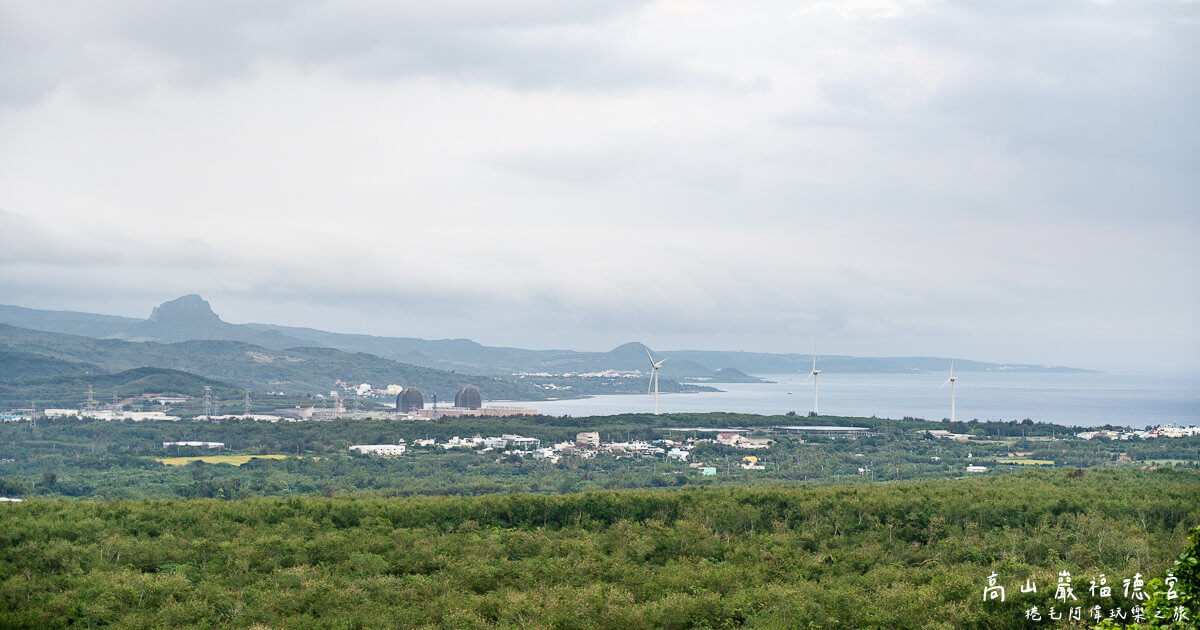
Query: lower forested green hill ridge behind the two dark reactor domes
{"type": "Point", "coordinates": [292, 371]}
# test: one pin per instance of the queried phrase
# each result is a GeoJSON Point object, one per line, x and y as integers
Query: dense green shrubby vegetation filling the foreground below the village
{"type": "Point", "coordinates": [880, 556]}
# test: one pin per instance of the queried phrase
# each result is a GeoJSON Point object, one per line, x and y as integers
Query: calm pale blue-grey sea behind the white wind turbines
{"type": "Point", "coordinates": [1065, 399]}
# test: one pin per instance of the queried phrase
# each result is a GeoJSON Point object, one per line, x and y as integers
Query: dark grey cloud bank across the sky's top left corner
{"type": "Point", "coordinates": [531, 45]}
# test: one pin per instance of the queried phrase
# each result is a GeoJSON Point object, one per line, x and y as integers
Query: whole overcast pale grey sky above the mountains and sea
{"type": "Point", "coordinates": [1010, 181]}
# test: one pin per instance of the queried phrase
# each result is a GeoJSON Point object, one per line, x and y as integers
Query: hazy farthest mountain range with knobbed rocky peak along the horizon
{"type": "Point", "coordinates": [191, 319]}
